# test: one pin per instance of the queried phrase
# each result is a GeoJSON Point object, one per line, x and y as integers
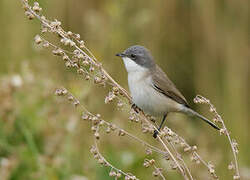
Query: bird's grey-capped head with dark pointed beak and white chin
{"type": "Point", "coordinates": [139, 55]}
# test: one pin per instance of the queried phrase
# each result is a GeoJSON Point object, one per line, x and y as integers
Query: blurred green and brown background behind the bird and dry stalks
{"type": "Point", "coordinates": [203, 45]}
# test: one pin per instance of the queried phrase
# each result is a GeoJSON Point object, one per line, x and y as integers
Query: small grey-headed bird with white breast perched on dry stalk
{"type": "Point", "coordinates": [151, 89]}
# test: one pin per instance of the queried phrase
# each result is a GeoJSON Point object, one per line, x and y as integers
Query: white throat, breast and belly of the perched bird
{"type": "Point", "coordinates": [144, 95]}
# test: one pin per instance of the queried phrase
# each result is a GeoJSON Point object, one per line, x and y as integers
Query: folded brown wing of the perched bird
{"type": "Point", "coordinates": [164, 85]}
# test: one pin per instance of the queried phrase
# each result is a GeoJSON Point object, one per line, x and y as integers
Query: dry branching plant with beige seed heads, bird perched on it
{"type": "Point", "coordinates": [86, 65]}
